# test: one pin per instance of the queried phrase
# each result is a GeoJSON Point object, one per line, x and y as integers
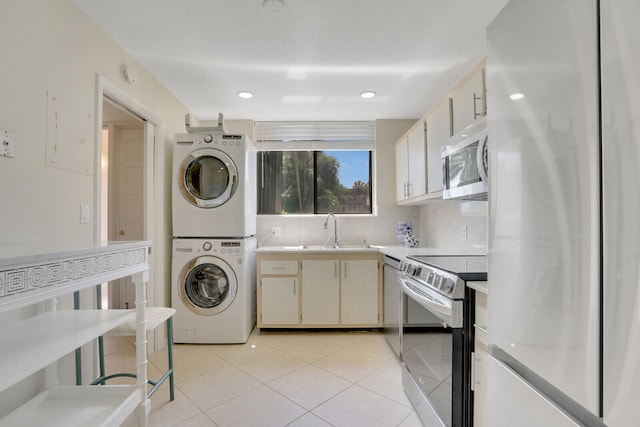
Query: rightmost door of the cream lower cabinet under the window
{"type": "Point", "coordinates": [359, 292]}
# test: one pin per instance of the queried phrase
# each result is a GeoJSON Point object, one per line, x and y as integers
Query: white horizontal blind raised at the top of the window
{"type": "Point", "coordinates": [309, 136]}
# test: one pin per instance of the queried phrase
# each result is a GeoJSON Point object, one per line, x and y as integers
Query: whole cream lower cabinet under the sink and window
{"type": "Point", "coordinates": [326, 290]}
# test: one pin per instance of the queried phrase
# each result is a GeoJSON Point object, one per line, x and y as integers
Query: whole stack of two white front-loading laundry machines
{"type": "Point", "coordinates": [213, 286]}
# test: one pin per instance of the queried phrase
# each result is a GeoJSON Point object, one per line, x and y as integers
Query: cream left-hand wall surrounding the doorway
{"type": "Point", "coordinates": [50, 46]}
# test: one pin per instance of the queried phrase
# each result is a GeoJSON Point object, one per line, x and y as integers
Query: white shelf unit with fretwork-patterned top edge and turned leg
{"type": "Point", "coordinates": [39, 341]}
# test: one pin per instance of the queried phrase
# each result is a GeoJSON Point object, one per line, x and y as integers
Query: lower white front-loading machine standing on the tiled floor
{"type": "Point", "coordinates": [213, 290]}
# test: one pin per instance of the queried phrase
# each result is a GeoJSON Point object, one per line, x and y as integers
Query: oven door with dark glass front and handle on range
{"type": "Point", "coordinates": [434, 364]}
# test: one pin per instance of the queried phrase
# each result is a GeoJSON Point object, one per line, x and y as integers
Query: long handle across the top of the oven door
{"type": "Point", "coordinates": [449, 311]}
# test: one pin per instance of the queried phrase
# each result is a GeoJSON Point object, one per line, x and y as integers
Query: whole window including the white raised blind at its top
{"type": "Point", "coordinates": [315, 167]}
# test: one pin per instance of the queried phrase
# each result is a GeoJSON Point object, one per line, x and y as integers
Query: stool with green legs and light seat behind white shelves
{"type": "Point", "coordinates": [155, 317]}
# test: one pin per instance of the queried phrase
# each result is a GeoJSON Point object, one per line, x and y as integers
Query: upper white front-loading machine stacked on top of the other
{"type": "Point", "coordinates": [214, 185]}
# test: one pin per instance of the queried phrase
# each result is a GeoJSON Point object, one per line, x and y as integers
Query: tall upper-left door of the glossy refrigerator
{"type": "Point", "coordinates": [544, 204]}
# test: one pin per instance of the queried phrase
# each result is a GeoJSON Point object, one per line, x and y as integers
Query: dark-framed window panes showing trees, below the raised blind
{"type": "Point", "coordinates": [309, 182]}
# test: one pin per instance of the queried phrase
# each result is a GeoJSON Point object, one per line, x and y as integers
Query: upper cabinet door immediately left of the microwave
{"type": "Point", "coordinates": [438, 134]}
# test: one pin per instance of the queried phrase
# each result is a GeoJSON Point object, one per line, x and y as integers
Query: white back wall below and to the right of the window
{"type": "Point", "coordinates": [378, 229]}
